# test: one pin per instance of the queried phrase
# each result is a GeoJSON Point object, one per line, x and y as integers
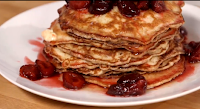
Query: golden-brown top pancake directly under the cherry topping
{"type": "Point", "coordinates": [115, 27]}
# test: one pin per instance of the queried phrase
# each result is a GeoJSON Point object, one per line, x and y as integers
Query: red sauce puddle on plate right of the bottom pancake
{"type": "Point", "coordinates": [189, 70]}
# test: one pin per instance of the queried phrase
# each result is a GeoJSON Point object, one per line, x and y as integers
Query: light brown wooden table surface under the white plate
{"type": "Point", "coordinates": [13, 97]}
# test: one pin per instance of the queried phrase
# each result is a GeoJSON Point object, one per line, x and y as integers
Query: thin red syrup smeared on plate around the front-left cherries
{"type": "Point", "coordinates": [56, 80]}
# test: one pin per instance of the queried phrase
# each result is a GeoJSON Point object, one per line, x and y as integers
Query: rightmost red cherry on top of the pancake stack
{"type": "Point", "coordinates": [158, 6]}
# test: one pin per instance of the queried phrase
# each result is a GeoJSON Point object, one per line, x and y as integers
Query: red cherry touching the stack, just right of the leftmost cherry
{"type": "Point", "coordinates": [46, 68]}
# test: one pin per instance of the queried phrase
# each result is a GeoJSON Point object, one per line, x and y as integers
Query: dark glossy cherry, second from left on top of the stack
{"type": "Point", "coordinates": [100, 7]}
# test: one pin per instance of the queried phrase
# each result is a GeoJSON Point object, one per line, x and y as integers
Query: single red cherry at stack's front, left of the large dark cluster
{"type": "Point", "coordinates": [73, 80]}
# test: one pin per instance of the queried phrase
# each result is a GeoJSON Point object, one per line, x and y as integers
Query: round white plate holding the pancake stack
{"type": "Point", "coordinates": [14, 36]}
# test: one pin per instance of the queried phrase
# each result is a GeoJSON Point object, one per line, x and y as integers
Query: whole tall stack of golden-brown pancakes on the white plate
{"type": "Point", "coordinates": [111, 44]}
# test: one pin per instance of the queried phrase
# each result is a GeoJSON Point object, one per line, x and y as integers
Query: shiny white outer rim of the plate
{"type": "Point", "coordinates": [87, 103]}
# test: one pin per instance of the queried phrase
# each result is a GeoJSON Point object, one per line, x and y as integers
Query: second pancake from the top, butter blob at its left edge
{"type": "Point", "coordinates": [57, 36]}
